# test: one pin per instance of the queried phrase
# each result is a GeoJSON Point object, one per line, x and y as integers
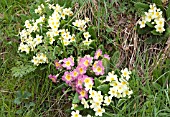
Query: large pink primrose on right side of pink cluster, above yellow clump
{"type": "Point", "coordinates": [98, 68]}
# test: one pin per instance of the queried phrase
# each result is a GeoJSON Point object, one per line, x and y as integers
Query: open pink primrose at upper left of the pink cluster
{"type": "Point", "coordinates": [68, 63]}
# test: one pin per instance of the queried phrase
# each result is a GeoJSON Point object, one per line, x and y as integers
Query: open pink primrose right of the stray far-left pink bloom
{"type": "Point", "coordinates": [67, 78]}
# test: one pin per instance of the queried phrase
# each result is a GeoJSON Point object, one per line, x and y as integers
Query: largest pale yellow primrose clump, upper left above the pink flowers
{"type": "Point", "coordinates": [49, 30]}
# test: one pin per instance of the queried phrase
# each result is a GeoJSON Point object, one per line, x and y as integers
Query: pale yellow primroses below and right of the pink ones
{"type": "Point", "coordinates": [119, 87]}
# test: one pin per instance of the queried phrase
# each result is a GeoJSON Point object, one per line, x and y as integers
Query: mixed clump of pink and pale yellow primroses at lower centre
{"type": "Point", "coordinates": [78, 76]}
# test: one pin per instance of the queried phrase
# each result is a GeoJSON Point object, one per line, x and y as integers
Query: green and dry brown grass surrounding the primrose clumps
{"type": "Point", "coordinates": [34, 95]}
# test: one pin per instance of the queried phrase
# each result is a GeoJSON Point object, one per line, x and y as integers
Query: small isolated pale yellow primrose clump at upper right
{"type": "Point", "coordinates": [154, 15]}
